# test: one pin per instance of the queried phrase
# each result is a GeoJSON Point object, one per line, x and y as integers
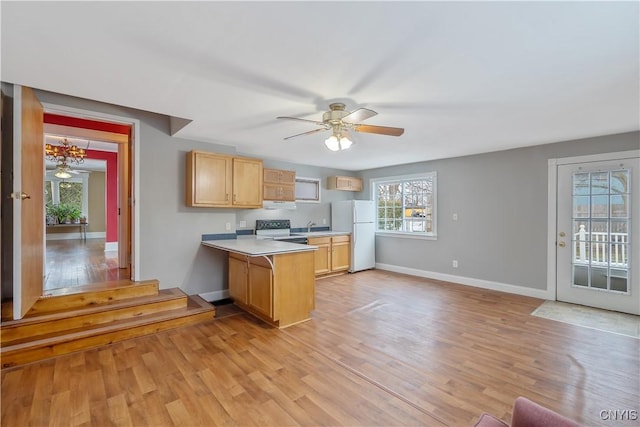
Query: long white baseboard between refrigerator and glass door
{"type": "Point", "coordinates": [469, 281]}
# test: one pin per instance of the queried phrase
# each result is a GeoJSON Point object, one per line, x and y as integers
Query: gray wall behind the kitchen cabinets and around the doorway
{"type": "Point", "coordinates": [170, 232]}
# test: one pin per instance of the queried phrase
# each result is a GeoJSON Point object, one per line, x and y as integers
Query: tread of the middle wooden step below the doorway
{"type": "Point", "coordinates": [163, 295]}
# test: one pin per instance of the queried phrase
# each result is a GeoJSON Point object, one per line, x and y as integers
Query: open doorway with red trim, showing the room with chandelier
{"type": "Point", "coordinates": [93, 245]}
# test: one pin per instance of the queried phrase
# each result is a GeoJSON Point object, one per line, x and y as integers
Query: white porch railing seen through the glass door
{"type": "Point", "coordinates": [598, 245]}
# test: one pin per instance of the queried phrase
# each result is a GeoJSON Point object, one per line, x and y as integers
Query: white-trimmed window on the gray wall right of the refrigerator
{"type": "Point", "coordinates": [406, 204]}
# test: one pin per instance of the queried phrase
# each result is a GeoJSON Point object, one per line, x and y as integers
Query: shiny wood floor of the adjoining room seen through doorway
{"type": "Point", "coordinates": [75, 262]}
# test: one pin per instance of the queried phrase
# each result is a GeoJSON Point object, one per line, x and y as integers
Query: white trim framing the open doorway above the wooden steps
{"type": "Point", "coordinates": [135, 166]}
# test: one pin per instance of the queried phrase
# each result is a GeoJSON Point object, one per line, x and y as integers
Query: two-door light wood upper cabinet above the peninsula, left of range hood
{"type": "Point", "coordinates": [218, 180]}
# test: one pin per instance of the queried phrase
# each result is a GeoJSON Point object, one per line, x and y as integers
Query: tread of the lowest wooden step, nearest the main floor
{"type": "Point", "coordinates": [195, 305]}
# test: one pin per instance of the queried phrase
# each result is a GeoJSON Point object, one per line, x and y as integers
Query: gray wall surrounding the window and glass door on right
{"type": "Point", "coordinates": [501, 202]}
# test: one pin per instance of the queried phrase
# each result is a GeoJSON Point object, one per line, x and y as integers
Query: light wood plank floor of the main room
{"type": "Point", "coordinates": [381, 349]}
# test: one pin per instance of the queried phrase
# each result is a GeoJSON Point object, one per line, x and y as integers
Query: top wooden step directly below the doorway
{"type": "Point", "coordinates": [94, 294]}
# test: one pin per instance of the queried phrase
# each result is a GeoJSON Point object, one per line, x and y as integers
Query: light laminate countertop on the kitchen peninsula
{"type": "Point", "coordinates": [251, 246]}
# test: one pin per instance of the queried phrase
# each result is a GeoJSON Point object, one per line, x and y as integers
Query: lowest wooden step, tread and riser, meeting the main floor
{"type": "Point", "coordinates": [197, 310]}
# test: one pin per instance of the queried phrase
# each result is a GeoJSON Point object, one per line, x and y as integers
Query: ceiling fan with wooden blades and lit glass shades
{"type": "Point", "coordinates": [341, 122]}
